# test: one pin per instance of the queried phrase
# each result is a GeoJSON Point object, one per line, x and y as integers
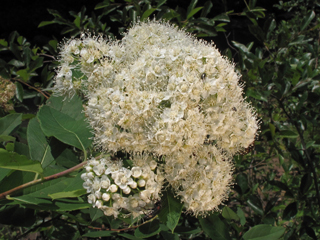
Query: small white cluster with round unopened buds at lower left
{"type": "Point", "coordinates": [112, 187]}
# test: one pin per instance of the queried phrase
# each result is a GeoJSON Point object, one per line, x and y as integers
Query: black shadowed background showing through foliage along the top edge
{"type": "Point", "coordinates": [24, 16]}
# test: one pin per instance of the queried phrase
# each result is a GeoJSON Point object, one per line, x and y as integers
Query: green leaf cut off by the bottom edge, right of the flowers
{"type": "Point", "coordinates": [264, 232]}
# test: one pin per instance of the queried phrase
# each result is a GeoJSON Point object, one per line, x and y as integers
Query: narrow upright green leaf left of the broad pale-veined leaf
{"type": "Point", "coordinates": [39, 148]}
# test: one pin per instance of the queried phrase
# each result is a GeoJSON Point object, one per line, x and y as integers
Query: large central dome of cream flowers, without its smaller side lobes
{"type": "Point", "coordinates": [172, 93]}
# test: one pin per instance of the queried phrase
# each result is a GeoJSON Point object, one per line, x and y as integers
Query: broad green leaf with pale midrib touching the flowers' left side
{"type": "Point", "coordinates": [65, 128]}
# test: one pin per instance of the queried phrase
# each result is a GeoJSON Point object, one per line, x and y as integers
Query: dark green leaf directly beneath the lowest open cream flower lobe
{"type": "Point", "coordinates": [214, 228]}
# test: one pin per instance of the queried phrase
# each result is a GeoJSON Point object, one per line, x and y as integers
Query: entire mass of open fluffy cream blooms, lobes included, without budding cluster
{"type": "Point", "coordinates": [162, 92]}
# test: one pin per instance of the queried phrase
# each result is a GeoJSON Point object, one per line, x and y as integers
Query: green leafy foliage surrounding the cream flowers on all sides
{"type": "Point", "coordinates": [276, 192]}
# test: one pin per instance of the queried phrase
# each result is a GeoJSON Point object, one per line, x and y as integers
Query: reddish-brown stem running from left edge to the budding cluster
{"type": "Point", "coordinates": [54, 176]}
